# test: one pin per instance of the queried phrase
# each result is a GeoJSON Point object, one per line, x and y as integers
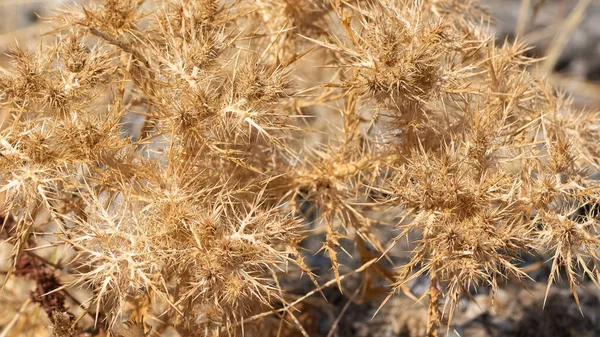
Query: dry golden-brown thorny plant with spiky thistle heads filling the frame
{"type": "Point", "coordinates": [168, 145]}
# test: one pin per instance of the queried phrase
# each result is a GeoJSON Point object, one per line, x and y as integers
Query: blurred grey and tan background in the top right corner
{"type": "Point", "coordinates": [566, 32]}
